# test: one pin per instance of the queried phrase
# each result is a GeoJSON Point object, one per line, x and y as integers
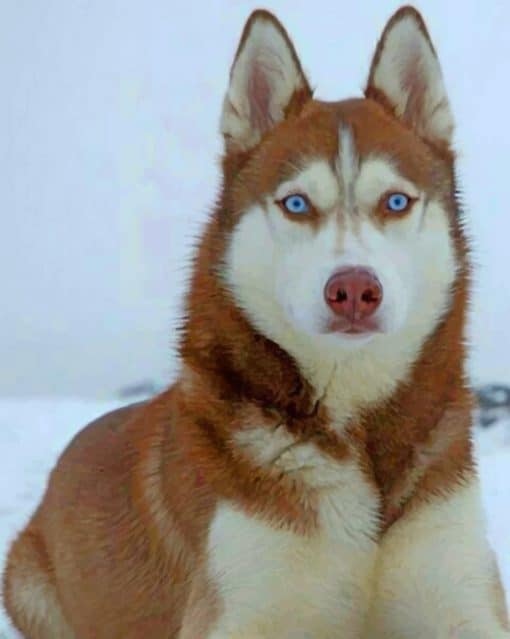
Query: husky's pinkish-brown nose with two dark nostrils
{"type": "Point", "coordinates": [353, 292]}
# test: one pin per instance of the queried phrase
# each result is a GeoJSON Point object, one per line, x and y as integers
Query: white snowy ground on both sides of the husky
{"type": "Point", "coordinates": [33, 432]}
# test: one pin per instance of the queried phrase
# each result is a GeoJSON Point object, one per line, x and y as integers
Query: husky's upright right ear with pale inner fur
{"type": "Point", "coordinates": [406, 77]}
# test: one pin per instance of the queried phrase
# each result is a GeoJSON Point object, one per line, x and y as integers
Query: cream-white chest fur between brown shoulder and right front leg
{"type": "Point", "coordinates": [272, 582]}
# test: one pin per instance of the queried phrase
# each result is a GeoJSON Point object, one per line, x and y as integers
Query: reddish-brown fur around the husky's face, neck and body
{"type": "Point", "coordinates": [120, 536]}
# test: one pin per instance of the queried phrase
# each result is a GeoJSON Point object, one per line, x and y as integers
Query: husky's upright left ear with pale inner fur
{"type": "Point", "coordinates": [267, 83]}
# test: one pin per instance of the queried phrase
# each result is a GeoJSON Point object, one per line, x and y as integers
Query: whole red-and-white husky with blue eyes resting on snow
{"type": "Point", "coordinates": [310, 473]}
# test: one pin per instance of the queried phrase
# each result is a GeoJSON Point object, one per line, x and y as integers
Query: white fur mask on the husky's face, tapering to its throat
{"type": "Point", "coordinates": [277, 270]}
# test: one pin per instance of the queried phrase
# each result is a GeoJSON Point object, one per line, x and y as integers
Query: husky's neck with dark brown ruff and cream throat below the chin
{"type": "Point", "coordinates": [402, 414]}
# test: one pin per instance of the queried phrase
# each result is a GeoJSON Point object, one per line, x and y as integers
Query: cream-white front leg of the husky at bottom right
{"type": "Point", "coordinates": [435, 576]}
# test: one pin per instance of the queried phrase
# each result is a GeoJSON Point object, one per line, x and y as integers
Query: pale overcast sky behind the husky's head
{"type": "Point", "coordinates": [108, 165]}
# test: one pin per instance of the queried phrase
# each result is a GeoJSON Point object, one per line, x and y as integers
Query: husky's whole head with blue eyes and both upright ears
{"type": "Point", "coordinates": [343, 211]}
